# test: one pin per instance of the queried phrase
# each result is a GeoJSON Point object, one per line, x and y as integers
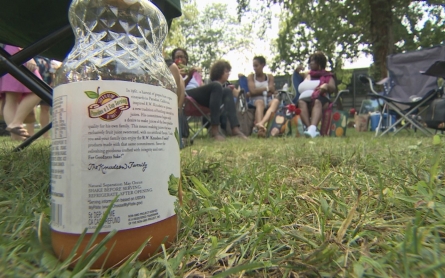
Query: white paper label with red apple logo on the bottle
{"type": "Point", "coordinates": [113, 138]}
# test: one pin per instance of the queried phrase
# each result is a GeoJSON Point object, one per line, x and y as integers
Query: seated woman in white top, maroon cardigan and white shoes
{"type": "Point", "coordinates": [314, 93]}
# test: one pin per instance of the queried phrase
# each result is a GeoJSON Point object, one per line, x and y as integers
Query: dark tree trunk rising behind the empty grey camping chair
{"type": "Point", "coordinates": [382, 39]}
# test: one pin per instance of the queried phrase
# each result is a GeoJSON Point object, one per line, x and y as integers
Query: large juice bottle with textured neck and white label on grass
{"type": "Point", "coordinates": [115, 132]}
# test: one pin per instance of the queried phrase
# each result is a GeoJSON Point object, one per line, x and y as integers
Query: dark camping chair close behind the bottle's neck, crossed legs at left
{"type": "Point", "coordinates": [22, 24]}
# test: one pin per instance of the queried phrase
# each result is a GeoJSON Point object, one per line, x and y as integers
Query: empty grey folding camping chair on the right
{"type": "Point", "coordinates": [407, 92]}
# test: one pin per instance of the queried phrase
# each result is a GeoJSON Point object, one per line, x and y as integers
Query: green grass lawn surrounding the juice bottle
{"type": "Point", "coordinates": [282, 207]}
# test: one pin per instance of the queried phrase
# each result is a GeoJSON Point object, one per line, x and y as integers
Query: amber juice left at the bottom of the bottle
{"type": "Point", "coordinates": [125, 243]}
